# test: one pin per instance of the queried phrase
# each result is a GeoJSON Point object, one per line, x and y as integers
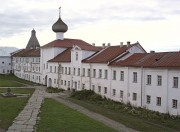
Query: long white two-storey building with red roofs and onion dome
{"type": "Point", "coordinates": [124, 72]}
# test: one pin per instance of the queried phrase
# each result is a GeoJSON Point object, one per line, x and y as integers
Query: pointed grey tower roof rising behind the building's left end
{"type": "Point", "coordinates": [33, 41]}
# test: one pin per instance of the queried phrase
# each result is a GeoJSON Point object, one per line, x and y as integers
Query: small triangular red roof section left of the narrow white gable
{"type": "Point", "coordinates": [65, 56]}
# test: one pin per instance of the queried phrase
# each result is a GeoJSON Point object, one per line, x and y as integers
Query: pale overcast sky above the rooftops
{"type": "Point", "coordinates": [155, 24]}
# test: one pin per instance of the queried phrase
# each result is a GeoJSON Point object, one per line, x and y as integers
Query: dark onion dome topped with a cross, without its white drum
{"type": "Point", "coordinates": [59, 26]}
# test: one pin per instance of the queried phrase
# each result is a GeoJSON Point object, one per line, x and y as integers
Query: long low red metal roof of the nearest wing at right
{"type": "Point", "coordinates": [162, 59]}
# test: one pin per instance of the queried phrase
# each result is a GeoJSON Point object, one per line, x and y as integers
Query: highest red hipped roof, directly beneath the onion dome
{"type": "Point", "coordinates": [69, 43]}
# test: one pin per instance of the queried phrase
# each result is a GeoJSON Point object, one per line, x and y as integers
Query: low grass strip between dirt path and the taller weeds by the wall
{"type": "Point", "coordinates": [129, 120]}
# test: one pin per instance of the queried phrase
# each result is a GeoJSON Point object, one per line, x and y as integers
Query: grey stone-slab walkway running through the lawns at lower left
{"type": "Point", "coordinates": [26, 120]}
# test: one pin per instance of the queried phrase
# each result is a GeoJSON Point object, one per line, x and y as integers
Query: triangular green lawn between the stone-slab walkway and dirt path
{"type": "Point", "coordinates": [56, 117]}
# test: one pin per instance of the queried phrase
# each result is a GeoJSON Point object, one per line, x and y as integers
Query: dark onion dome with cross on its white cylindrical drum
{"type": "Point", "coordinates": [59, 27]}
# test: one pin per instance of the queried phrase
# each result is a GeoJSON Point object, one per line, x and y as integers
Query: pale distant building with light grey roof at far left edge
{"type": "Point", "coordinates": [5, 59]}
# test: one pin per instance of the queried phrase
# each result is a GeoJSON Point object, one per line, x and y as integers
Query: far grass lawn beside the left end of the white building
{"type": "Point", "coordinates": [13, 79]}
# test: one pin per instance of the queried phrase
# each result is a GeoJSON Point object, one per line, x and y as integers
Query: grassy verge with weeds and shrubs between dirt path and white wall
{"type": "Point", "coordinates": [136, 118]}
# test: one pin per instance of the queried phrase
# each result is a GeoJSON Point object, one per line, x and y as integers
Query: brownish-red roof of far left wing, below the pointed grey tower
{"type": "Point", "coordinates": [28, 53]}
